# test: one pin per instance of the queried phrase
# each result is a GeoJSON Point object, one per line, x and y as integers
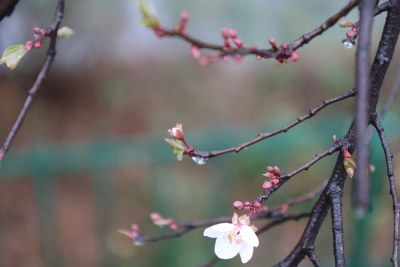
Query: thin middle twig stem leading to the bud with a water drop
{"type": "Point", "coordinates": [284, 129]}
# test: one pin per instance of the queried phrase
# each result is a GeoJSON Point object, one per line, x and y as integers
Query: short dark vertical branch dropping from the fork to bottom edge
{"type": "Point", "coordinates": [337, 225]}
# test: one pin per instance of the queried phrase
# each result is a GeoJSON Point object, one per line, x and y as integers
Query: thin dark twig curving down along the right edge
{"type": "Point", "coordinates": [393, 191]}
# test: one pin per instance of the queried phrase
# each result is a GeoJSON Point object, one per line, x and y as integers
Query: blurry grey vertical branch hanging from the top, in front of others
{"type": "Point", "coordinates": [362, 182]}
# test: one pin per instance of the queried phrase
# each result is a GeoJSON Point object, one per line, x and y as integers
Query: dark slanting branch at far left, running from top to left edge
{"type": "Point", "coordinates": [51, 52]}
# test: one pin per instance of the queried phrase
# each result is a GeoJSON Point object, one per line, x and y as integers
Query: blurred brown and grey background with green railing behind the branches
{"type": "Point", "coordinates": [90, 157]}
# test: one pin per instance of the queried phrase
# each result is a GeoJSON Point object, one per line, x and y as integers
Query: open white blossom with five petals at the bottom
{"type": "Point", "coordinates": [233, 238]}
